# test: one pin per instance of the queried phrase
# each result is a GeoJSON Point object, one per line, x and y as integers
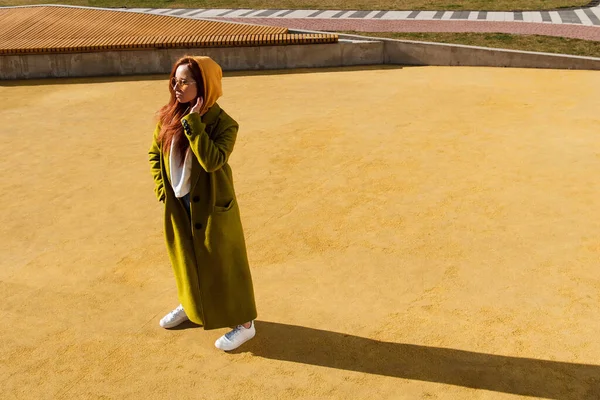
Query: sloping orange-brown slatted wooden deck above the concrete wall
{"type": "Point", "coordinates": [55, 29]}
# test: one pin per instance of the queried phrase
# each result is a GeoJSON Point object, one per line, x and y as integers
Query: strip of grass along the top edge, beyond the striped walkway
{"type": "Point", "coordinates": [500, 5]}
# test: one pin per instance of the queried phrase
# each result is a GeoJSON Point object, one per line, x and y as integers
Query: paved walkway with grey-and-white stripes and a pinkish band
{"type": "Point", "coordinates": [578, 23]}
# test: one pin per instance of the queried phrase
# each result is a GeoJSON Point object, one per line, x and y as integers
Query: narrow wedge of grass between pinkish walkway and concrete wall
{"type": "Point", "coordinates": [546, 44]}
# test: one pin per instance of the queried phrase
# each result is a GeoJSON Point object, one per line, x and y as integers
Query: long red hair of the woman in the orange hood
{"type": "Point", "coordinates": [171, 113]}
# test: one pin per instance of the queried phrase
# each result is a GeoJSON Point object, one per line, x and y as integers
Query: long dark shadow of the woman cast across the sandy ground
{"type": "Point", "coordinates": [521, 376]}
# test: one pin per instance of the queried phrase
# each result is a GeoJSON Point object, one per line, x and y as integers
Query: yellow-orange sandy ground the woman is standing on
{"type": "Point", "coordinates": [414, 233]}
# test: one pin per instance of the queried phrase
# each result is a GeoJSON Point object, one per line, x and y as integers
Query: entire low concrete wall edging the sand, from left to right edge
{"type": "Point", "coordinates": [351, 50]}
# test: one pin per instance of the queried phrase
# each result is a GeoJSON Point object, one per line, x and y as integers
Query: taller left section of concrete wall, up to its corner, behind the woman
{"type": "Point", "coordinates": [133, 62]}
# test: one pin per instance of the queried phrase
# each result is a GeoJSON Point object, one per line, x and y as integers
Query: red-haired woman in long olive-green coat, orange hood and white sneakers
{"type": "Point", "coordinates": [205, 241]}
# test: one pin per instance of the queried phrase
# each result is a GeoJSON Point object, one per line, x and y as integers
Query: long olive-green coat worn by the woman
{"type": "Point", "coordinates": [209, 257]}
